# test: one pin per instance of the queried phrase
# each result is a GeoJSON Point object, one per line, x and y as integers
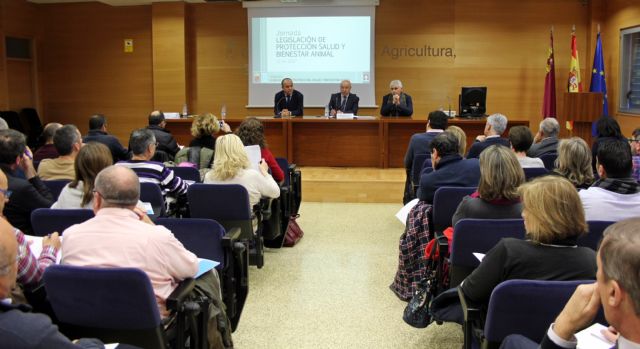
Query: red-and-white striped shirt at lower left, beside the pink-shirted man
{"type": "Point", "coordinates": [30, 269]}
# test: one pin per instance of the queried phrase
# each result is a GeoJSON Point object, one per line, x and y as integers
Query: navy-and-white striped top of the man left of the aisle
{"type": "Point", "coordinates": [158, 173]}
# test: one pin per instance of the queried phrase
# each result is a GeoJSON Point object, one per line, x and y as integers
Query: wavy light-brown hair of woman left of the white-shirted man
{"type": "Point", "coordinates": [574, 162]}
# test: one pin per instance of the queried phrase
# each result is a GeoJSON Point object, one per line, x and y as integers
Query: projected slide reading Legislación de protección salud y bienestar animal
{"type": "Point", "coordinates": [311, 49]}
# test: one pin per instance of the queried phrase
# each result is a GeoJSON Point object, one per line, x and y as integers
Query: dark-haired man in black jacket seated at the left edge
{"type": "Point", "coordinates": [29, 193]}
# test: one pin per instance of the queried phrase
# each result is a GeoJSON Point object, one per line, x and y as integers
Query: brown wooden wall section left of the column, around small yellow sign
{"type": "Point", "coordinates": [87, 70]}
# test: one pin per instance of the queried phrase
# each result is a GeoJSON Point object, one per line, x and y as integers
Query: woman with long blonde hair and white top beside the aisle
{"type": "Point", "coordinates": [231, 166]}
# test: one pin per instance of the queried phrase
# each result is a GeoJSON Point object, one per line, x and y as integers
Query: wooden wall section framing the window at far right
{"type": "Point", "coordinates": [620, 14]}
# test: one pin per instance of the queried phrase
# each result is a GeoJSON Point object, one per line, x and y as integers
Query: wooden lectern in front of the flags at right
{"type": "Point", "coordinates": [583, 109]}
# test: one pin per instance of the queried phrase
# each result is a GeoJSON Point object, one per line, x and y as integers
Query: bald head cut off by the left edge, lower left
{"type": "Point", "coordinates": [8, 265]}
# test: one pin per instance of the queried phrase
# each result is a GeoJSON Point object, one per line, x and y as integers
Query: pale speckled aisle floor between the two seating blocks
{"type": "Point", "coordinates": [331, 290]}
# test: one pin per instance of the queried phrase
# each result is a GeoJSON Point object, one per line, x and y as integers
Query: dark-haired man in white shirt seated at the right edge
{"type": "Point", "coordinates": [615, 196]}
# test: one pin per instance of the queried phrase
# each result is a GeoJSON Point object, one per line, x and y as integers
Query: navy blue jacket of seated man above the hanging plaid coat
{"type": "Point", "coordinates": [451, 171]}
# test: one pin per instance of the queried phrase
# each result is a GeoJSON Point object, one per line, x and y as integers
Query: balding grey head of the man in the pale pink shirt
{"type": "Point", "coordinates": [118, 186]}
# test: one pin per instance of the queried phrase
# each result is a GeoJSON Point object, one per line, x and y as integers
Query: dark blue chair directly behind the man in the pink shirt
{"type": "Point", "coordinates": [119, 305]}
